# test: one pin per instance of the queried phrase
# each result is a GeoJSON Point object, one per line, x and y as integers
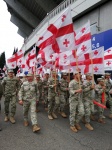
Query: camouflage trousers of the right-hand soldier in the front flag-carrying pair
{"type": "Point", "coordinates": [88, 109]}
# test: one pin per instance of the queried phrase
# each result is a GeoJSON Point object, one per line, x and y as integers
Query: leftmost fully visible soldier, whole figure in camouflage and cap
{"type": "Point", "coordinates": [10, 88]}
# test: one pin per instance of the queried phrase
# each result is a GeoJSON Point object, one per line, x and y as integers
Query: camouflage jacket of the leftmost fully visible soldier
{"type": "Point", "coordinates": [10, 85]}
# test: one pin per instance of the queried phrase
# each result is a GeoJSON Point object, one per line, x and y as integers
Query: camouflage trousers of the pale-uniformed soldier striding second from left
{"type": "Point", "coordinates": [32, 106]}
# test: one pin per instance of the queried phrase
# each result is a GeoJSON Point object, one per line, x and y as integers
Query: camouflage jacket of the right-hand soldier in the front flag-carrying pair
{"type": "Point", "coordinates": [87, 91]}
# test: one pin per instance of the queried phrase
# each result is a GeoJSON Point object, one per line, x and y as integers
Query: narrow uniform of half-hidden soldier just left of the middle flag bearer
{"type": "Point", "coordinates": [45, 92]}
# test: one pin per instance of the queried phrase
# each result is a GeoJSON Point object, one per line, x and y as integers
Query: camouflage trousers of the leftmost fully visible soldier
{"type": "Point", "coordinates": [10, 100]}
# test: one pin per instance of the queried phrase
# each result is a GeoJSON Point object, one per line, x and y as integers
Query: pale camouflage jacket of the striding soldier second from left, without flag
{"type": "Point", "coordinates": [29, 91]}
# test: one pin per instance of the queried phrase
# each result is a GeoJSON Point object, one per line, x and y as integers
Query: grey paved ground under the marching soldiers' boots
{"type": "Point", "coordinates": [54, 135]}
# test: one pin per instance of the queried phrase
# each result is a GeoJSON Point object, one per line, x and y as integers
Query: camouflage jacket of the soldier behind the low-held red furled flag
{"type": "Point", "coordinates": [98, 91]}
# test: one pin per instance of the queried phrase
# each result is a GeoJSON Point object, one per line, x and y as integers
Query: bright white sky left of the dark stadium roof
{"type": "Point", "coordinates": [9, 38]}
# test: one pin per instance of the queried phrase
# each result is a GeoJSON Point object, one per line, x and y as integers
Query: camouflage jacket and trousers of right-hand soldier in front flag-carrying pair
{"type": "Point", "coordinates": [87, 99]}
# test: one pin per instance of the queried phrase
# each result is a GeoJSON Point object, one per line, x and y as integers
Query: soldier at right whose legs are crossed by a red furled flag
{"type": "Point", "coordinates": [99, 89]}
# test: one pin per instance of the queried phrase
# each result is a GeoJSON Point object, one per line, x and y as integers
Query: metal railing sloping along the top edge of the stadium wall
{"type": "Point", "coordinates": [50, 15]}
